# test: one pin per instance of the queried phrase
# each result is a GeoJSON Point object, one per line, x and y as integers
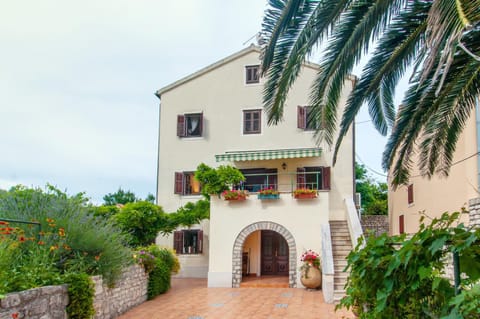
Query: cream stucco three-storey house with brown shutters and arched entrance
{"type": "Point", "coordinates": [215, 116]}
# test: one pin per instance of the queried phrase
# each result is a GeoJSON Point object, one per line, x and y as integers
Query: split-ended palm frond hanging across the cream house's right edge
{"type": "Point", "coordinates": [394, 53]}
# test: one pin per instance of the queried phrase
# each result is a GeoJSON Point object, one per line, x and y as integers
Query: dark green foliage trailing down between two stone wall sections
{"type": "Point", "coordinates": [80, 293]}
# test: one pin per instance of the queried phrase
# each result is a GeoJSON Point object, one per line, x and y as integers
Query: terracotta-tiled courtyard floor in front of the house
{"type": "Point", "coordinates": [191, 299]}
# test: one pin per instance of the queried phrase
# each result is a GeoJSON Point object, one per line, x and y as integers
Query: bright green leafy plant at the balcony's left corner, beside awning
{"type": "Point", "coordinates": [217, 180]}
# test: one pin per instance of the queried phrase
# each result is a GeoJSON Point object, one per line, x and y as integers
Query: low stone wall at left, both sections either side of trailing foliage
{"type": "Point", "coordinates": [50, 302]}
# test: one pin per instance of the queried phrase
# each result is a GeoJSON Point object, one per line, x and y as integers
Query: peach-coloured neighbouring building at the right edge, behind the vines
{"type": "Point", "coordinates": [439, 194]}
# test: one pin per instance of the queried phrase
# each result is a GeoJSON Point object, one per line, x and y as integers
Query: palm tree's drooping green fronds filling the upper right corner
{"type": "Point", "coordinates": [439, 38]}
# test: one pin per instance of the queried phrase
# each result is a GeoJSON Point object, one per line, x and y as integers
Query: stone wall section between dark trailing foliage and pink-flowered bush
{"type": "Point", "coordinates": [130, 290]}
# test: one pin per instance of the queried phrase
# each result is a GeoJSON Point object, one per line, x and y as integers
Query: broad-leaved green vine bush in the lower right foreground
{"type": "Point", "coordinates": [395, 277]}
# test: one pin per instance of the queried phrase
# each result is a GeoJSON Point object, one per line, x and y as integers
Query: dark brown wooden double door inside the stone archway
{"type": "Point", "coordinates": [274, 254]}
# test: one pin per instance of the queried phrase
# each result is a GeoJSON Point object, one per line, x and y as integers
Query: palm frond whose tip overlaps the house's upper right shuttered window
{"type": "Point", "coordinates": [363, 22]}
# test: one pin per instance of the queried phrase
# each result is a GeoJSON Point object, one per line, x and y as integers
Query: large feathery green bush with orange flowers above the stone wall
{"type": "Point", "coordinates": [95, 246]}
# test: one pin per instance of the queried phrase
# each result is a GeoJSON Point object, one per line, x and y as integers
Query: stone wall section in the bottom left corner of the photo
{"type": "Point", "coordinates": [47, 302]}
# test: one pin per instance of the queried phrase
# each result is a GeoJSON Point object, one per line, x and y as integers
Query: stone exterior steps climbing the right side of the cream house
{"type": "Point", "coordinates": [341, 247]}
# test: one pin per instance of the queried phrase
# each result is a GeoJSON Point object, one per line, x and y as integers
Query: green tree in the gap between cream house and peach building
{"type": "Point", "coordinates": [374, 194]}
